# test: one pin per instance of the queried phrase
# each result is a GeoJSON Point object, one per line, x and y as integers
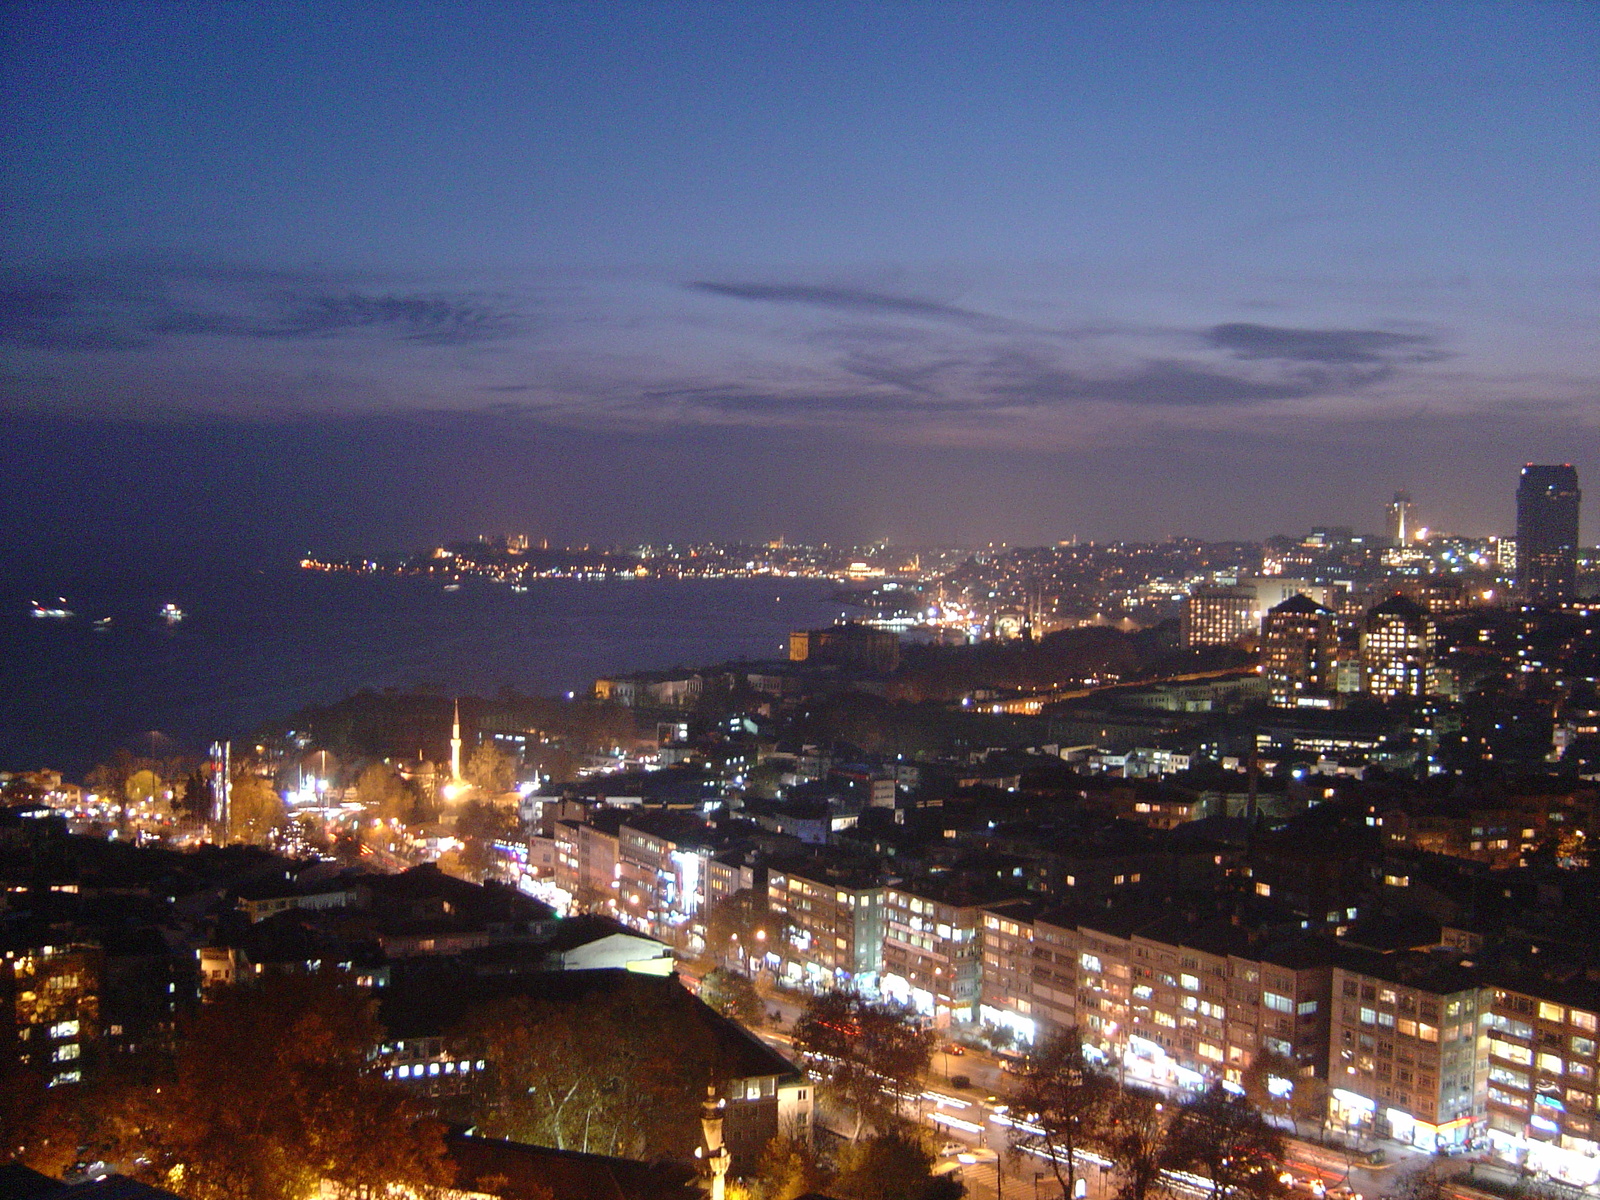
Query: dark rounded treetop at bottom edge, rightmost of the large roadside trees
{"type": "Point", "coordinates": [1226, 1140]}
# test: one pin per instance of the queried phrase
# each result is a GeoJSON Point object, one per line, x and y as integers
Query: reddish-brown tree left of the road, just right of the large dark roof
{"type": "Point", "coordinates": [866, 1055]}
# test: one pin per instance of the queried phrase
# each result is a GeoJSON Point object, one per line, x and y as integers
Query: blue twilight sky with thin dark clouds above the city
{"type": "Point", "coordinates": [353, 276]}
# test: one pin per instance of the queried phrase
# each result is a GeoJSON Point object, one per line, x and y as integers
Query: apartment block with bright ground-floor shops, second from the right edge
{"type": "Point", "coordinates": [1407, 1057]}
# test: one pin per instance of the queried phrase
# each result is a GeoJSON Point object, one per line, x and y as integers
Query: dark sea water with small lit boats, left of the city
{"type": "Point", "coordinates": [258, 646]}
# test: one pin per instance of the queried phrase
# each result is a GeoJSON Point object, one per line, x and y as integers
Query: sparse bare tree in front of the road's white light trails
{"type": "Point", "coordinates": [1070, 1103]}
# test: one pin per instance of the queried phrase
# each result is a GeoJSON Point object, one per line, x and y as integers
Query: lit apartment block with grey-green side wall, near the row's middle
{"type": "Point", "coordinates": [834, 922]}
